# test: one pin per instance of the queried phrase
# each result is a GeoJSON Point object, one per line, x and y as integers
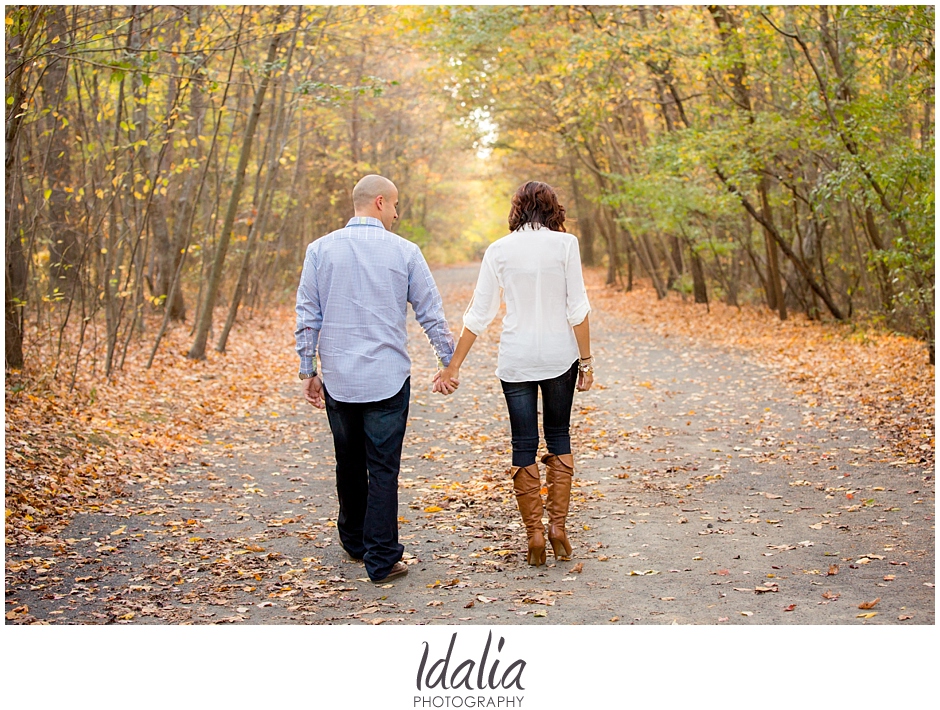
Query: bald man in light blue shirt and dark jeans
{"type": "Point", "coordinates": [352, 308]}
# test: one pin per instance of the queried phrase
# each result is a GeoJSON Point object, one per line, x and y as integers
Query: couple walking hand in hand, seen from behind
{"type": "Point", "coordinates": [351, 311]}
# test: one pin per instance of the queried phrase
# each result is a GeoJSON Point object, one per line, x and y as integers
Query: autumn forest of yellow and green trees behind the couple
{"type": "Point", "coordinates": [166, 167]}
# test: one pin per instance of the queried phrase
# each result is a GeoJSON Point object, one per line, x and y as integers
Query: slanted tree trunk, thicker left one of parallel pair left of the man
{"type": "Point", "coordinates": [198, 350]}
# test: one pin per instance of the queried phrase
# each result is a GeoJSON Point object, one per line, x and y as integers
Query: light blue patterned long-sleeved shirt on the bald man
{"type": "Point", "coordinates": [352, 307]}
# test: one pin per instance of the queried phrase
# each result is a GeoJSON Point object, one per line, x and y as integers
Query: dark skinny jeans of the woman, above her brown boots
{"type": "Point", "coordinates": [522, 399]}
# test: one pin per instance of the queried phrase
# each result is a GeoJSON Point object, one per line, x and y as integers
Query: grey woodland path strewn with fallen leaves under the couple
{"type": "Point", "coordinates": [706, 492]}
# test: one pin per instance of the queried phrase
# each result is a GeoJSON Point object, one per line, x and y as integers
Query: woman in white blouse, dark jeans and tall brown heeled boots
{"type": "Point", "coordinates": [545, 344]}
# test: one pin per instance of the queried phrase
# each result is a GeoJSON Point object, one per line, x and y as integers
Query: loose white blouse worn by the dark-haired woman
{"type": "Point", "coordinates": [539, 273]}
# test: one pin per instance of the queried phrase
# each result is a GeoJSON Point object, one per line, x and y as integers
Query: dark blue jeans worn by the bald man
{"type": "Point", "coordinates": [368, 438]}
